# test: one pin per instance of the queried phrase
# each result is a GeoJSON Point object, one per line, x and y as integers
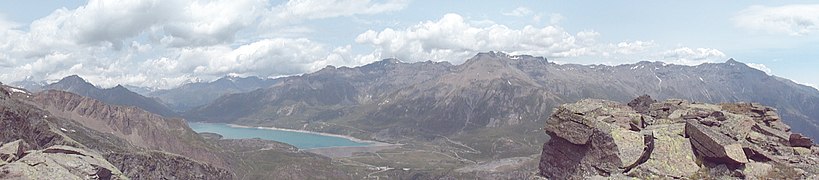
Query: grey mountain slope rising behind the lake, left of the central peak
{"type": "Point", "coordinates": [323, 95]}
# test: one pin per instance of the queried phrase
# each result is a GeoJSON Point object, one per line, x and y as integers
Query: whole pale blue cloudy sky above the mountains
{"type": "Point", "coordinates": [165, 43]}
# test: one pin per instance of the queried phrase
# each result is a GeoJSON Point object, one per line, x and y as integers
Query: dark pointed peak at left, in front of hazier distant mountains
{"type": "Point", "coordinates": [117, 95]}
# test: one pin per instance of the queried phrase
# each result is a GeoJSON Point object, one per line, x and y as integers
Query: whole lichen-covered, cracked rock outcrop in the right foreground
{"type": "Point", "coordinates": [674, 139]}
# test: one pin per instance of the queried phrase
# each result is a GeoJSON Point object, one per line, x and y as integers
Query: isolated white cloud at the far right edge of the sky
{"type": "Point", "coordinates": [795, 20]}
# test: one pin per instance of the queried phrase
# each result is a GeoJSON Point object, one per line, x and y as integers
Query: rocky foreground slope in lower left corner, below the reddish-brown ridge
{"type": "Point", "coordinates": [20, 119]}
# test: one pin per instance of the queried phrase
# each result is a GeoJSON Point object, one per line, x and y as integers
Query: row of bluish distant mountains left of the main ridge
{"type": "Point", "coordinates": [166, 102]}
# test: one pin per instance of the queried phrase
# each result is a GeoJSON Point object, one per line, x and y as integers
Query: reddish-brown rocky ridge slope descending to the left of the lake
{"type": "Point", "coordinates": [138, 127]}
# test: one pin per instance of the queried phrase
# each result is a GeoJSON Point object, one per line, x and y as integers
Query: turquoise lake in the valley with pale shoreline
{"type": "Point", "coordinates": [302, 140]}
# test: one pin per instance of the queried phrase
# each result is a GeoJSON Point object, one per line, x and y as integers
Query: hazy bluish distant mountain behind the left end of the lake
{"type": "Point", "coordinates": [192, 95]}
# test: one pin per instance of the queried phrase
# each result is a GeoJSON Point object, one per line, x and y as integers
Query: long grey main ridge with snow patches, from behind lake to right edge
{"type": "Point", "coordinates": [494, 90]}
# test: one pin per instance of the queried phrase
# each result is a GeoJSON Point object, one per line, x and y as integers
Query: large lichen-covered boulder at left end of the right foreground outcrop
{"type": "Point", "coordinates": [588, 139]}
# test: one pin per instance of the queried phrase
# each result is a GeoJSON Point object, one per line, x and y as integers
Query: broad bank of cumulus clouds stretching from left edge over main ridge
{"type": "Point", "coordinates": [162, 44]}
